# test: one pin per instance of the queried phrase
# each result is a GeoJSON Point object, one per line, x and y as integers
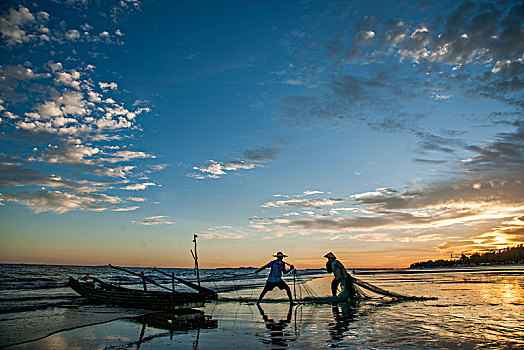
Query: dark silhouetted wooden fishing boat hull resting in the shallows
{"type": "Point", "coordinates": [103, 292]}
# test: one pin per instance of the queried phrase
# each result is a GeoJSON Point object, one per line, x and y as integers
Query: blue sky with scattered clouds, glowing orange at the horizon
{"type": "Point", "coordinates": [386, 132]}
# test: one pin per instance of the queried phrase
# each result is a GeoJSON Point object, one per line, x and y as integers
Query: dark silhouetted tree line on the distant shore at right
{"type": "Point", "coordinates": [510, 255]}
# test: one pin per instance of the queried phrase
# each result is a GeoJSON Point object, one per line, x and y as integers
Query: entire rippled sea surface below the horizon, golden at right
{"type": "Point", "coordinates": [477, 308]}
